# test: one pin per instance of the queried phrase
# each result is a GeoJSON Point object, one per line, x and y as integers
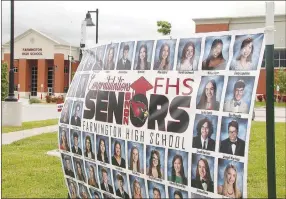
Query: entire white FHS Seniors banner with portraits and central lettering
{"type": "Point", "coordinates": [163, 118]}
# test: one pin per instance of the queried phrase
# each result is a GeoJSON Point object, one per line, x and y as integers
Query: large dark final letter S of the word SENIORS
{"type": "Point", "coordinates": [180, 115]}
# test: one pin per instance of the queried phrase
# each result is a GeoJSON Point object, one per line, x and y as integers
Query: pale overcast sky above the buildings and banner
{"type": "Point", "coordinates": [122, 20]}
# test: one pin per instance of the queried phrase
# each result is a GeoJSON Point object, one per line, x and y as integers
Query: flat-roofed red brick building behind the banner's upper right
{"type": "Point", "coordinates": [241, 23]}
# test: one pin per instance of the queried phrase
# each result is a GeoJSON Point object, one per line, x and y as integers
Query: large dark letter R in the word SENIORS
{"type": "Point", "coordinates": [155, 114]}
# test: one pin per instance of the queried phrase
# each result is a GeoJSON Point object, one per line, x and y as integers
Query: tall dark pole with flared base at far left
{"type": "Point", "coordinates": [11, 97]}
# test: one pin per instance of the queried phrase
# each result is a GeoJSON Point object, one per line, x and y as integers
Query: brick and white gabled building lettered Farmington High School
{"type": "Point", "coordinates": [41, 63]}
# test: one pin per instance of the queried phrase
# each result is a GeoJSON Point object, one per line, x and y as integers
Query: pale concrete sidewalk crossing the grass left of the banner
{"type": "Point", "coordinates": [8, 138]}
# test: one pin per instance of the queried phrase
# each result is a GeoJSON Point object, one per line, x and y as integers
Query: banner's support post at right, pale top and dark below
{"type": "Point", "coordinates": [270, 121]}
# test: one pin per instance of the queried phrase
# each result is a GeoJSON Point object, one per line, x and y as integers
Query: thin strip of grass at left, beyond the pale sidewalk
{"type": "Point", "coordinates": [29, 125]}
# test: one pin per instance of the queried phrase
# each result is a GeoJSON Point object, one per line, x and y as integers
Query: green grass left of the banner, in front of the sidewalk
{"type": "Point", "coordinates": [27, 171]}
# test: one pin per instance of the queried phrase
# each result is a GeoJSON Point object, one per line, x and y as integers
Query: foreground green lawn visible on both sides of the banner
{"type": "Point", "coordinates": [27, 172]}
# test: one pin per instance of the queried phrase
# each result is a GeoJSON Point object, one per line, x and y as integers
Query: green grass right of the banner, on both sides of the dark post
{"type": "Point", "coordinates": [257, 170]}
